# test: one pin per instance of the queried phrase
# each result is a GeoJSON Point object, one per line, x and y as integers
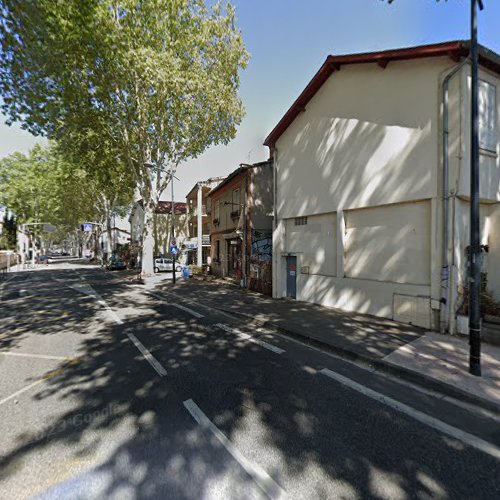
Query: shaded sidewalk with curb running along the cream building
{"type": "Point", "coordinates": [434, 361]}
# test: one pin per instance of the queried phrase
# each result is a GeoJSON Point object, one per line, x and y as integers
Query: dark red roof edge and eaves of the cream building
{"type": "Point", "coordinates": [455, 50]}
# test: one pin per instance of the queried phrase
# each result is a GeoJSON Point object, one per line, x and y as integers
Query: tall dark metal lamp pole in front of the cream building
{"type": "Point", "coordinates": [475, 229]}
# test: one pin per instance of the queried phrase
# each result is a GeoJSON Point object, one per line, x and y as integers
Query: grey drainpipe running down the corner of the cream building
{"type": "Point", "coordinates": [446, 312]}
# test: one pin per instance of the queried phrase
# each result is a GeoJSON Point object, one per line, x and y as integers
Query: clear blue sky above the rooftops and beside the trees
{"type": "Point", "coordinates": [288, 40]}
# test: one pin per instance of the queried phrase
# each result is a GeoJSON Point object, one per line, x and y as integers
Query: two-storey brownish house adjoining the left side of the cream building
{"type": "Point", "coordinates": [241, 226]}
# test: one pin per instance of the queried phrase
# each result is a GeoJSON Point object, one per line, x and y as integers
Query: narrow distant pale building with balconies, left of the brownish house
{"type": "Point", "coordinates": [198, 244]}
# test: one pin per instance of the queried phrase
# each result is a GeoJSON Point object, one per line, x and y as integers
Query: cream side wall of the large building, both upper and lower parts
{"type": "Point", "coordinates": [368, 149]}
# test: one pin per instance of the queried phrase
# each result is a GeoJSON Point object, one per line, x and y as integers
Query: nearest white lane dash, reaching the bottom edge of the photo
{"type": "Point", "coordinates": [263, 480]}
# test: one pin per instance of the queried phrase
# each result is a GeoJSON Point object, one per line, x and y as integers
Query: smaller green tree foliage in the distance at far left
{"type": "Point", "coordinates": [48, 186]}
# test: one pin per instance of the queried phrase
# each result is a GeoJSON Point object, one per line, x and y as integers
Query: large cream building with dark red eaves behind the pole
{"type": "Point", "coordinates": [363, 180]}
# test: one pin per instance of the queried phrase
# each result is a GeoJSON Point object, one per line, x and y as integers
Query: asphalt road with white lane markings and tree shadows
{"type": "Point", "coordinates": [112, 391]}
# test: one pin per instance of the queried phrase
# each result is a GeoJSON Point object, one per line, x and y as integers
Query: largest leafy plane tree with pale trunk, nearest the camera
{"type": "Point", "coordinates": [155, 81]}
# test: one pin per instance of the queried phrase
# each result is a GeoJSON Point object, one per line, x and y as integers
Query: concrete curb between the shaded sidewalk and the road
{"type": "Point", "coordinates": [380, 365]}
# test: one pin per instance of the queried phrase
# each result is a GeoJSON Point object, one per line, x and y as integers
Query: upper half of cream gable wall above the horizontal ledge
{"type": "Point", "coordinates": [369, 137]}
